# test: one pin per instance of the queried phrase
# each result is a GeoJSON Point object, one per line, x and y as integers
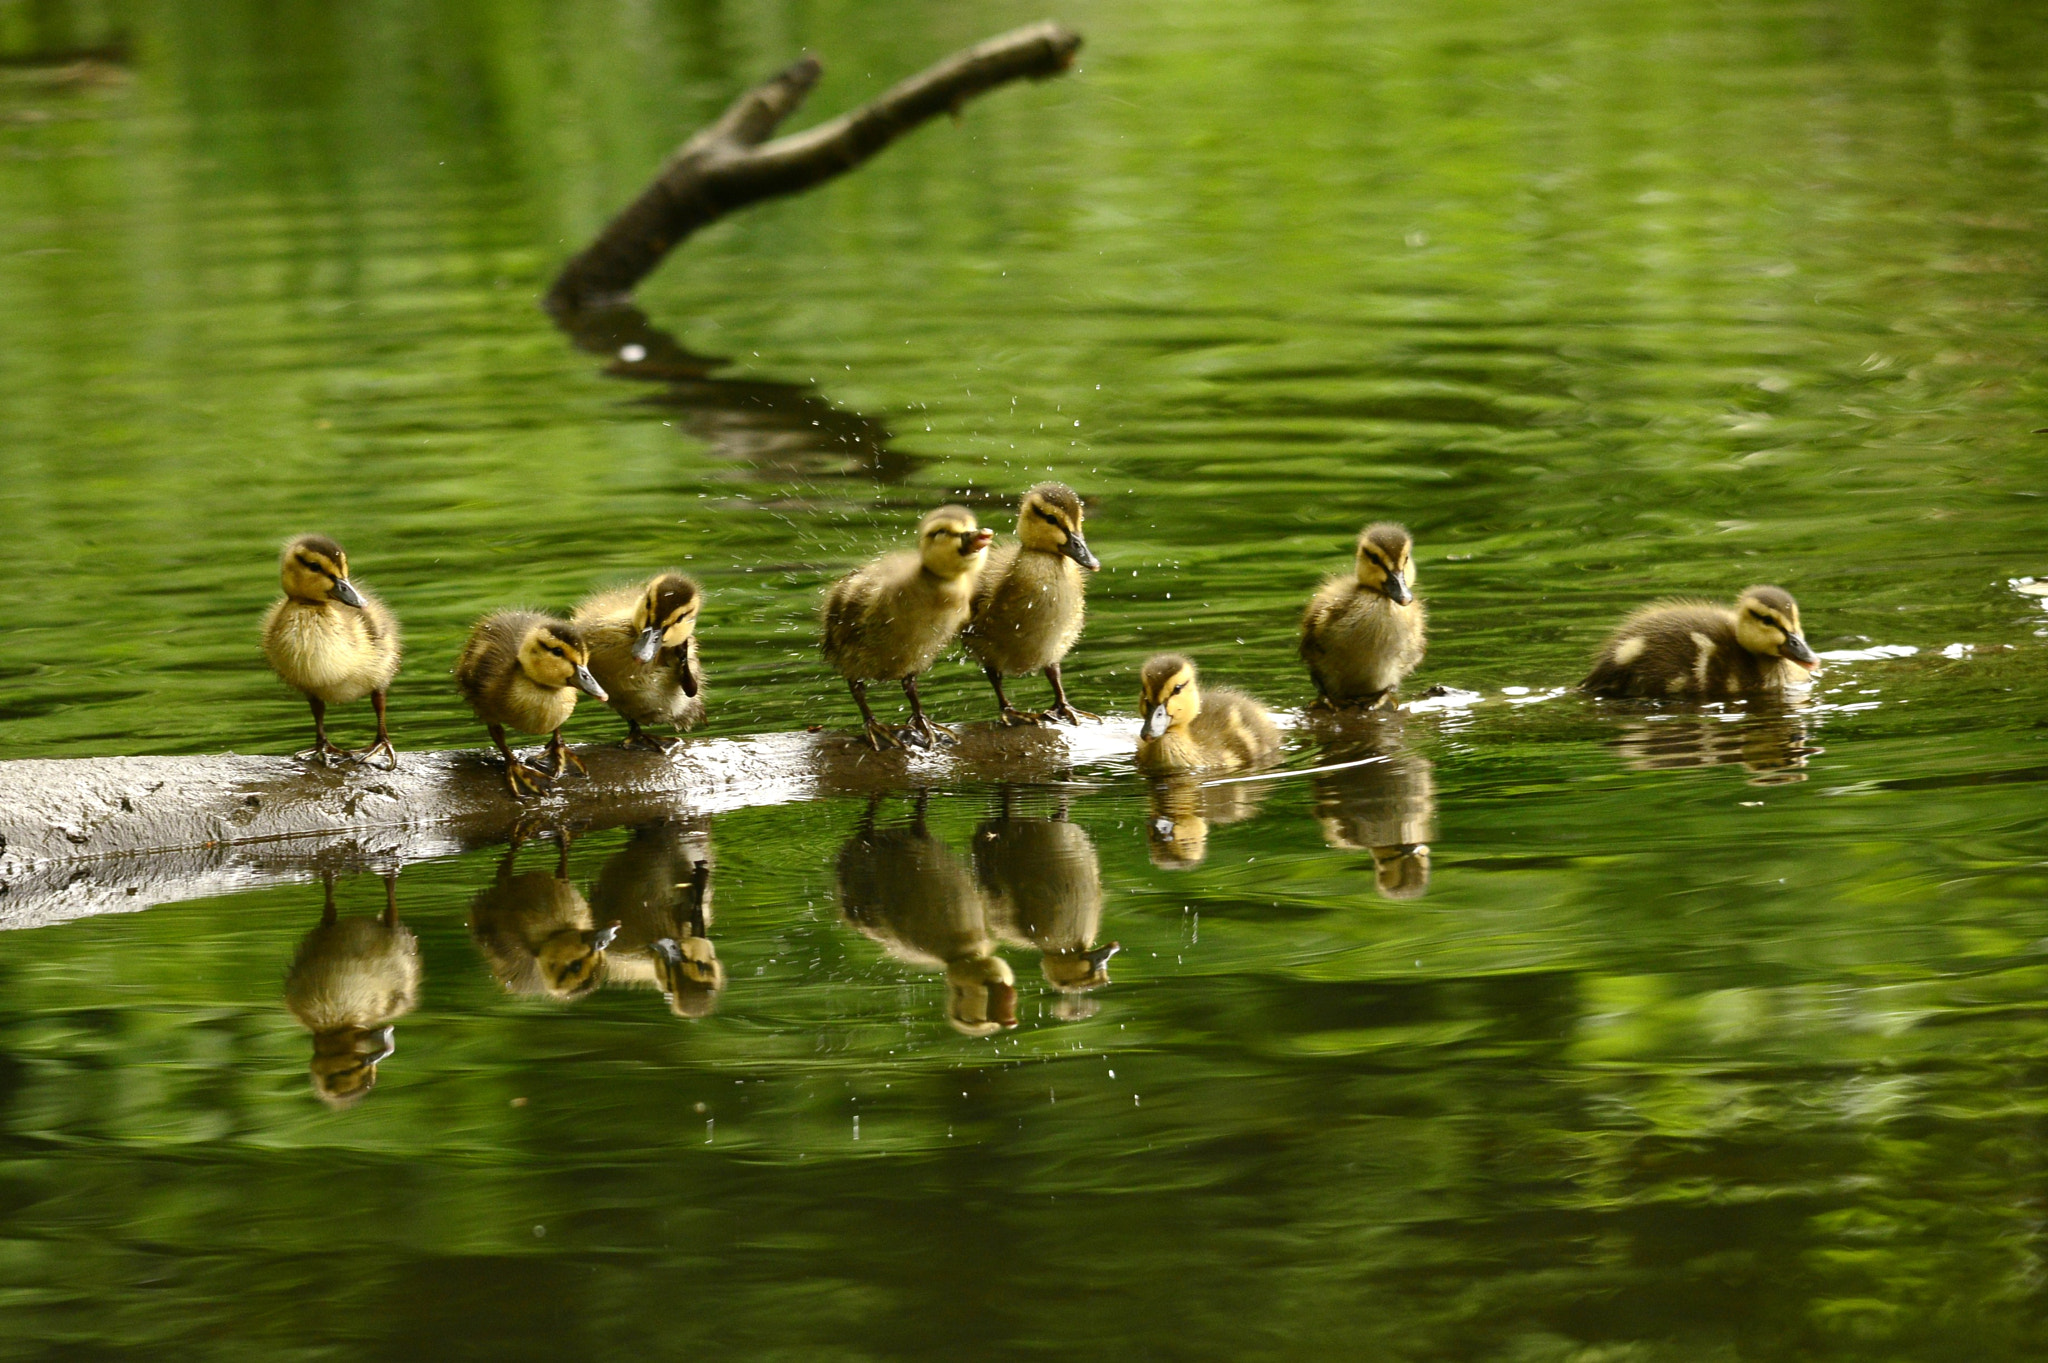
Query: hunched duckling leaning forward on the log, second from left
{"type": "Point", "coordinates": [523, 670]}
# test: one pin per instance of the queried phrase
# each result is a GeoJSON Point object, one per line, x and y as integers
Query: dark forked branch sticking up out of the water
{"type": "Point", "coordinates": [730, 165]}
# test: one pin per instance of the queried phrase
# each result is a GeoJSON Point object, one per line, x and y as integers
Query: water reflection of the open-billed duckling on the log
{"type": "Point", "coordinates": [919, 899]}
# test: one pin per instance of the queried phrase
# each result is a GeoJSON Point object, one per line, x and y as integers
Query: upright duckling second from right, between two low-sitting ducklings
{"type": "Point", "coordinates": [1363, 633]}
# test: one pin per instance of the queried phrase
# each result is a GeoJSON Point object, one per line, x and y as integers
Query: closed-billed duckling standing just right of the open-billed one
{"type": "Point", "coordinates": [1031, 603]}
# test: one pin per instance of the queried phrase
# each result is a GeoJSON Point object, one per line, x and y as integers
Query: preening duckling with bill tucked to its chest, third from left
{"type": "Point", "coordinates": [644, 654]}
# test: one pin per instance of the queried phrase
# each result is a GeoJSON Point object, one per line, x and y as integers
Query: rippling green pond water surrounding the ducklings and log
{"type": "Point", "coordinates": [1709, 1037]}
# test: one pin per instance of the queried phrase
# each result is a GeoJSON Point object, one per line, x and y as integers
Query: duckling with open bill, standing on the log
{"type": "Point", "coordinates": [890, 619]}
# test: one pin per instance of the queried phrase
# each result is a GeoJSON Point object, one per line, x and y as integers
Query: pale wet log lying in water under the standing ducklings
{"type": "Point", "coordinates": [120, 834]}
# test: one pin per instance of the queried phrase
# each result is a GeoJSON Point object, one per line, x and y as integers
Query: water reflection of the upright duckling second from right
{"type": "Point", "coordinates": [1385, 807]}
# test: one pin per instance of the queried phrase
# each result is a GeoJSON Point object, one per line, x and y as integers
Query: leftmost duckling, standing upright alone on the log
{"type": "Point", "coordinates": [333, 642]}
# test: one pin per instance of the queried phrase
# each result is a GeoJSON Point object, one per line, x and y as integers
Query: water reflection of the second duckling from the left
{"type": "Point", "coordinates": [538, 934]}
